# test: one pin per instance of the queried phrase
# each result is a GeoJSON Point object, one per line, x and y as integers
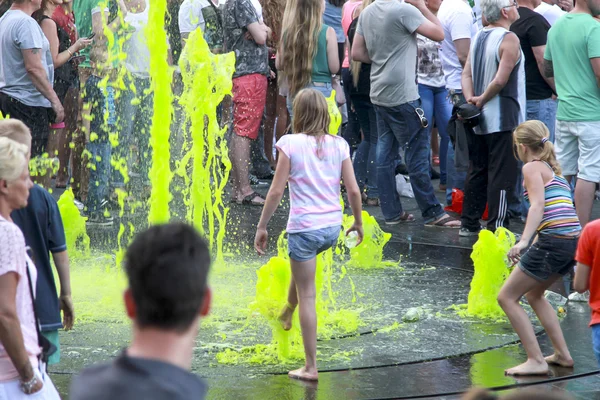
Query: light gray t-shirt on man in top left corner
{"type": "Point", "coordinates": [18, 31]}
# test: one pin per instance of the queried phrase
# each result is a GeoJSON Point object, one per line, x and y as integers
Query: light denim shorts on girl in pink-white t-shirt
{"type": "Point", "coordinates": [304, 246]}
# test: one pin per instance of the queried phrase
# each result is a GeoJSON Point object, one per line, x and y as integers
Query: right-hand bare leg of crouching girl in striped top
{"type": "Point", "coordinates": [549, 320]}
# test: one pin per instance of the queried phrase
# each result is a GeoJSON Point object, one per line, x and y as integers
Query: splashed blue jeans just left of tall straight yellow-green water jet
{"type": "Point", "coordinates": [135, 121]}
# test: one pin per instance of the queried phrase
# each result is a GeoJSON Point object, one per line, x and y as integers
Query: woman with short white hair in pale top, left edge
{"type": "Point", "coordinates": [22, 373]}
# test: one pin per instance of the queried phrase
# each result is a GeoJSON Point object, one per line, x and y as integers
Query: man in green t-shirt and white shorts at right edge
{"type": "Point", "coordinates": [572, 57]}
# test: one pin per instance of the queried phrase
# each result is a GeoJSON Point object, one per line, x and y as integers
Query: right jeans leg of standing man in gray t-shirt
{"type": "Point", "coordinates": [407, 129]}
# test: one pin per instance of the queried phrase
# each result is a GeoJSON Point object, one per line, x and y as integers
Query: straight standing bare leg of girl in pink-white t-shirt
{"type": "Point", "coordinates": [304, 275]}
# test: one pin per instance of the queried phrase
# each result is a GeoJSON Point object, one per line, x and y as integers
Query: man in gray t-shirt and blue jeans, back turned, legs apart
{"type": "Point", "coordinates": [386, 39]}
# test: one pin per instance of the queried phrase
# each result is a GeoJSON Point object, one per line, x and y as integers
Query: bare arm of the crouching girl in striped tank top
{"type": "Point", "coordinates": [534, 182]}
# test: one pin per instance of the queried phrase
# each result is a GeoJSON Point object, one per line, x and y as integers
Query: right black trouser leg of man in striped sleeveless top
{"type": "Point", "coordinates": [502, 174]}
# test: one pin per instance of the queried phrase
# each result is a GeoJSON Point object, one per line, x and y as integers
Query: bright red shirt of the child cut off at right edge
{"type": "Point", "coordinates": [588, 253]}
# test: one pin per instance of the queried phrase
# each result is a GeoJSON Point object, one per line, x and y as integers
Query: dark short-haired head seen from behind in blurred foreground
{"type": "Point", "coordinates": [167, 268]}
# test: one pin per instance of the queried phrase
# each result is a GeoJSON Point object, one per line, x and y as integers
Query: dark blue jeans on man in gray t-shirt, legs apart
{"type": "Point", "coordinates": [400, 126]}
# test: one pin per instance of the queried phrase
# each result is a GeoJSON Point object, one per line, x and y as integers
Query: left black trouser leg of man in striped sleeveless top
{"type": "Point", "coordinates": [476, 184]}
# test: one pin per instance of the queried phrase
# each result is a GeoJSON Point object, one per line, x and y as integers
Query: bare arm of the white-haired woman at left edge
{"type": "Point", "coordinates": [11, 335]}
